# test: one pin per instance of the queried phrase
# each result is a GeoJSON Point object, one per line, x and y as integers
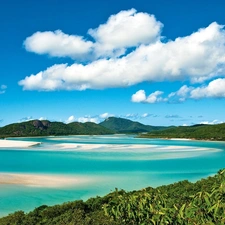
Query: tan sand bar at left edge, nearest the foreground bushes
{"type": "Point", "coordinates": [37, 180]}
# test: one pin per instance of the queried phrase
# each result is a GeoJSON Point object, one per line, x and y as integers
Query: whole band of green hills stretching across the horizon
{"type": "Point", "coordinates": [110, 126]}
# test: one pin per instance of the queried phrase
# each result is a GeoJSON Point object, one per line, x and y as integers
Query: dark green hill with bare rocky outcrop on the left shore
{"type": "Point", "coordinates": [46, 128]}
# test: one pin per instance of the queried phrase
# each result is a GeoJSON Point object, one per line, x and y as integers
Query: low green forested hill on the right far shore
{"type": "Point", "coordinates": [199, 132]}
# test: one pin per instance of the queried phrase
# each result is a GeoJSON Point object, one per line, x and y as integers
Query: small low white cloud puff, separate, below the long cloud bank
{"type": "Point", "coordinates": [154, 97]}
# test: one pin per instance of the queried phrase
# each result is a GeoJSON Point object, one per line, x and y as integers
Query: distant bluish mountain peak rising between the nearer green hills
{"type": "Point", "coordinates": [120, 125]}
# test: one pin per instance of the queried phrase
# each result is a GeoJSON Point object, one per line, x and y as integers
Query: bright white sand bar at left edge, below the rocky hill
{"type": "Point", "coordinates": [17, 144]}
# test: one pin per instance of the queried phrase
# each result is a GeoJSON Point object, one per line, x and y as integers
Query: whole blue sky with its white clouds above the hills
{"type": "Point", "coordinates": [158, 62]}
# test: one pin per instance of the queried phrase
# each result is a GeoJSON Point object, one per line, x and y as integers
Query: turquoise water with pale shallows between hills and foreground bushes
{"type": "Point", "coordinates": [116, 161]}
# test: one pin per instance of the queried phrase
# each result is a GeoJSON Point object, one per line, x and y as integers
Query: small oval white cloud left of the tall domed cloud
{"type": "Point", "coordinates": [58, 44]}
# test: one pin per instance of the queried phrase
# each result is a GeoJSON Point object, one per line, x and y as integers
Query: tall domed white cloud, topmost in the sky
{"type": "Point", "coordinates": [123, 30]}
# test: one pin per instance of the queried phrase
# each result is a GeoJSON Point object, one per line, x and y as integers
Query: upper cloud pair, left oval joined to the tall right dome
{"type": "Point", "coordinates": [123, 30]}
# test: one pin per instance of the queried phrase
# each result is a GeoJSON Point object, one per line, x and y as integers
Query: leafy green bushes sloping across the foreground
{"type": "Point", "coordinates": [180, 203]}
